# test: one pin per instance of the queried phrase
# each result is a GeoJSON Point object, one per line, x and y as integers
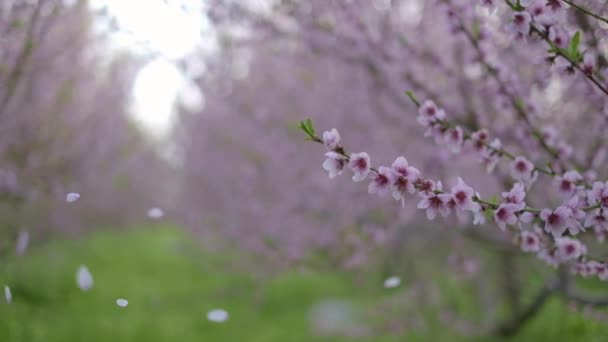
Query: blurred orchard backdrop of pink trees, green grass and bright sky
{"type": "Point", "coordinates": [199, 202]}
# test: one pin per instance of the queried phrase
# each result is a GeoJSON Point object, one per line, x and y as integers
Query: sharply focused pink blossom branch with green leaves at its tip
{"type": "Point", "coordinates": [555, 248]}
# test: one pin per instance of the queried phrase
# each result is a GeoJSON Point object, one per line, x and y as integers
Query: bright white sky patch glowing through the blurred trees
{"type": "Point", "coordinates": [171, 28]}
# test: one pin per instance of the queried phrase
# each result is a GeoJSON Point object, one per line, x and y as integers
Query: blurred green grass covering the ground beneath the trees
{"type": "Point", "coordinates": [171, 284]}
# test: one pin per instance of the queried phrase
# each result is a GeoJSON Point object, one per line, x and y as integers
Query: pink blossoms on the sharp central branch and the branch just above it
{"type": "Point", "coordinates": [547, 232]}
